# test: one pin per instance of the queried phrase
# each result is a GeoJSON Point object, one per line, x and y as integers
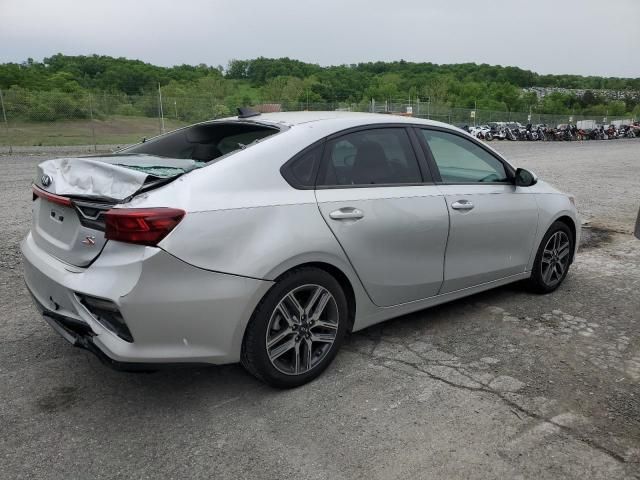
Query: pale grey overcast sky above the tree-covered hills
{"type": "Point", "coordinates": [586, 37]}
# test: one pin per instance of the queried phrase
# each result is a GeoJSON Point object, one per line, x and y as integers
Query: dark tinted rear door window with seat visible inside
{"type": "Point", "coordinates": [371, 157]}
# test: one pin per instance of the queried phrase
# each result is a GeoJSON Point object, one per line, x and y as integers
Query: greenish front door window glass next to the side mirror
{"type": "Point", "coordinates": [461, 161]}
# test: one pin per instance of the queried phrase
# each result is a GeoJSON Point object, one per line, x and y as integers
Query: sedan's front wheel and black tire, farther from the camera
{"type": "Point", "coordinates": [554, 253]}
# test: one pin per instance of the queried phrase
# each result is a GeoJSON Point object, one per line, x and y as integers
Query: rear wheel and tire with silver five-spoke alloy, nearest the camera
{"type": "Point", "coordinates": [287, 317]}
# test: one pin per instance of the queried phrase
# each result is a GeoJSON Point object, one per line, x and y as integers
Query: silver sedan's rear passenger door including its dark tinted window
{"type": "Point", "coordinates": [391, 221]}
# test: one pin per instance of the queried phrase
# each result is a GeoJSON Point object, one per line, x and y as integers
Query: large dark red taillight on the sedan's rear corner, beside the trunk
{"type": "Point", "coordinates": [144, 226]}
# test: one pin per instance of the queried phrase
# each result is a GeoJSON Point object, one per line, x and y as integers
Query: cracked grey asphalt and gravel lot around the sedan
{"type": "Point", "coordinates": [504, 384]}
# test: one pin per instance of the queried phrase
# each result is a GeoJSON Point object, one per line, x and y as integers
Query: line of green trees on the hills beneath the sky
{"type": "Point", "coordinates": [60, 79]}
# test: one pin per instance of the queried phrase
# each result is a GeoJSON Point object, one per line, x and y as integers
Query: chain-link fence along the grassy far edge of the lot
{"type": "Point", "coordinates": [63, 119]}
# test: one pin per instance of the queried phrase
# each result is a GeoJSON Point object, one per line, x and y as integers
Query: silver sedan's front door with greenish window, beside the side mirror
{"type": "Point", "coordinates": [493, 223]}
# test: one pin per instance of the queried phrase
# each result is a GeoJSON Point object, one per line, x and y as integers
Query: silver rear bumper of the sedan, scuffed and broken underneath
{"type": "Point", "coordinates": [176, 313]}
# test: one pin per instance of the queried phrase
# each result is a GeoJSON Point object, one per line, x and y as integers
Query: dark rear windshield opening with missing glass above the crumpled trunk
{"type": "Point", "coordinates": [204, 142]}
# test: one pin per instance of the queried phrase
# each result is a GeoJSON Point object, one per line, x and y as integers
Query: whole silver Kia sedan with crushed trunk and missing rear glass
{"type": "Point", "coordinates": [266, 238]}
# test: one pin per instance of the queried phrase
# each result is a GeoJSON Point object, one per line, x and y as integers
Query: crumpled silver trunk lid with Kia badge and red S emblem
{"type": "Point", "coordinates": [72, 195]}
